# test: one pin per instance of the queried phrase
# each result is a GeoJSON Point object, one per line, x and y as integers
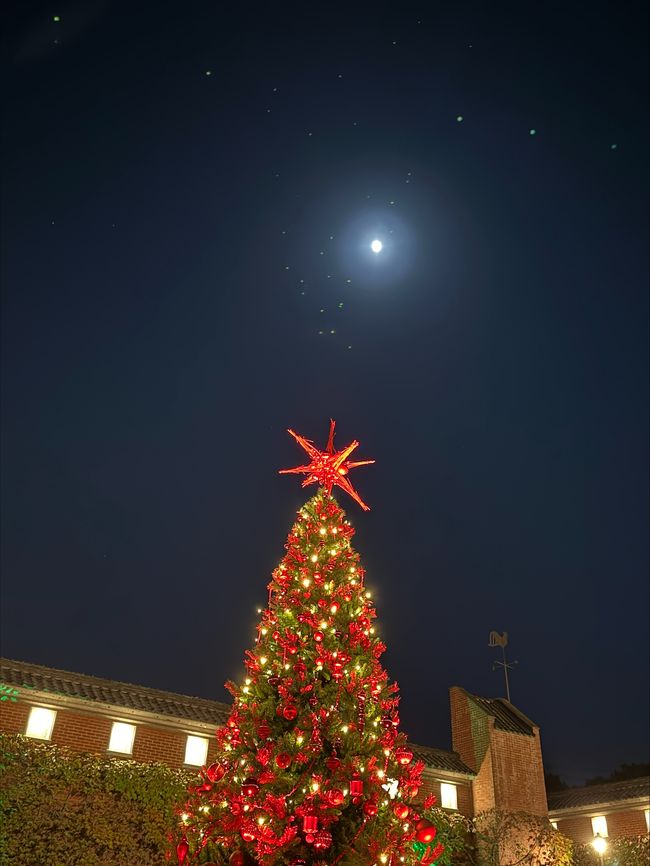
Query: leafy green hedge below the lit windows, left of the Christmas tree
{"type": "Point", "coordinates": [64, 808]}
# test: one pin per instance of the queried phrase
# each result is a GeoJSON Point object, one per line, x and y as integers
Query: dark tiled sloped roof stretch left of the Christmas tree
{"type": "Point", "coordinates": [58, 682]}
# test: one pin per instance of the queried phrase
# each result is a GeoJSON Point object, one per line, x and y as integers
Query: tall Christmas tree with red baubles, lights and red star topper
{"type": "Point", "coordinates": [312, 768]}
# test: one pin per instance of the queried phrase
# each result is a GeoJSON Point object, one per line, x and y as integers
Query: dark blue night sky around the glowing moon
{"type": "Point", "coordinates": [190, 192]}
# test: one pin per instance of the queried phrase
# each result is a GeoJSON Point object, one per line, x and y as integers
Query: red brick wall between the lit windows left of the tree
{"type": "Point", "coordinates": [91, 733]}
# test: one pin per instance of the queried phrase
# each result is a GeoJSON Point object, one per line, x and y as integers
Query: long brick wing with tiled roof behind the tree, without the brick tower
{"type": "Point", "coordinates": [89, 714]}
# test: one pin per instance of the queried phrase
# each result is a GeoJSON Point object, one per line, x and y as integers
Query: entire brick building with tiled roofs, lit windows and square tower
{"type": "Point", "coordinates": [496, 763]}
